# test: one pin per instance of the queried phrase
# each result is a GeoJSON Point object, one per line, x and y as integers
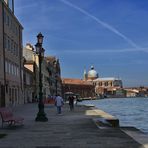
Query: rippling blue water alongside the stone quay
{"type": "Point", "coordinates": [130, 111]}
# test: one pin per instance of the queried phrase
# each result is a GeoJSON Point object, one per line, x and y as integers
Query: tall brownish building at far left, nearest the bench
{"type": "Point", "coordinates": [11, 63]}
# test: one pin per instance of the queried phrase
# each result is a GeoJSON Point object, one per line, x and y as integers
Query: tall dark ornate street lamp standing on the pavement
{"type": "Point", "coordinates": [41, 116]}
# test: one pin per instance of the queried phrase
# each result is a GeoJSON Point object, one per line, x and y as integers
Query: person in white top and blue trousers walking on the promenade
{"type": "Point", "coordinates": [59, 103]}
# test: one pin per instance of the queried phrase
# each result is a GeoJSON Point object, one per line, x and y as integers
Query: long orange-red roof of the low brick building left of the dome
{"type": "Point", "coordinates": [75, 81]}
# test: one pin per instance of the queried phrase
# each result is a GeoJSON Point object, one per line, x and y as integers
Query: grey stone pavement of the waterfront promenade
{"type": "Point", "coordinates": [70, 130]}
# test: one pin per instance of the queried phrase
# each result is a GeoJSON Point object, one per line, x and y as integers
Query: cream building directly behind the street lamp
{"type": "Point", "coordinates": [32, 64]}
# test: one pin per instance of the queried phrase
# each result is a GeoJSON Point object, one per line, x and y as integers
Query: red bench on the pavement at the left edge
{"type": "Point", "coordinates": [7, 116]}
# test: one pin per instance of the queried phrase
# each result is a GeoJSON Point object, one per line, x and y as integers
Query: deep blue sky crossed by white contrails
{"type": "Point", "coordinates": [111, 35]}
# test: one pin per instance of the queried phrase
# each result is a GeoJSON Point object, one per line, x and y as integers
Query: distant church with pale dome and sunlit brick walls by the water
{"type": "Point", "coordinates": [106, 86]}
